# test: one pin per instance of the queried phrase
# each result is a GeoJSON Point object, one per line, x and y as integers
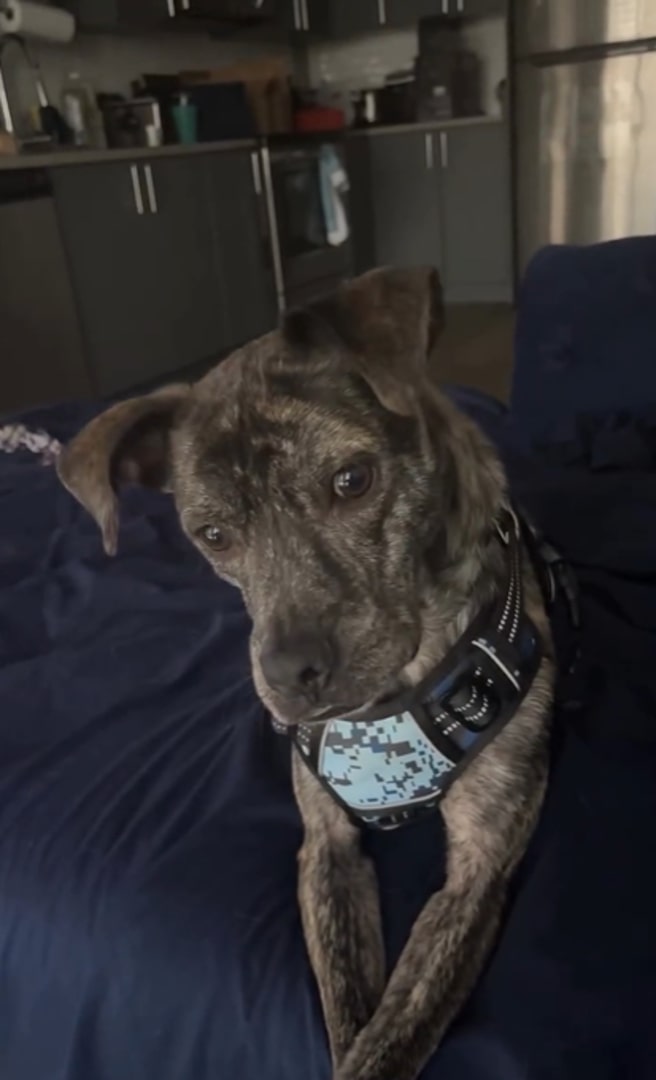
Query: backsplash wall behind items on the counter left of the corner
{"type": "Point", "coordinates": [111, 63]}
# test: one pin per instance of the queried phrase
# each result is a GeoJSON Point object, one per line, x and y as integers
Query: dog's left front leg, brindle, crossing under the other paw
{"type": "Point", "coordinates": [339, 897]}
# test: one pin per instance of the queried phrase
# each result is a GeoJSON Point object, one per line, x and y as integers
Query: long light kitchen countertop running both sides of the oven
{"type": "Point", "coordinates": [56, 159]}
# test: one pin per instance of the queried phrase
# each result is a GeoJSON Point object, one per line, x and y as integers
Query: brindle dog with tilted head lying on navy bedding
{"type": "Point", "coordinates": [322, 471]}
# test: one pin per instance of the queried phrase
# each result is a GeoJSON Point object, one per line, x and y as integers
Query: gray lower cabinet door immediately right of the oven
{"type": "Point", "coordinates": [396, 193]}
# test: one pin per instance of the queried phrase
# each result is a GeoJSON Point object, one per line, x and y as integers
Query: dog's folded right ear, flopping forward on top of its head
{"type": "Point", "coordinates": [390, 321]}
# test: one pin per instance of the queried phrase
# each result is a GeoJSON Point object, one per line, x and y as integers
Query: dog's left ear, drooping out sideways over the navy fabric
{"type": "Point", "coordinates": [128, 444]}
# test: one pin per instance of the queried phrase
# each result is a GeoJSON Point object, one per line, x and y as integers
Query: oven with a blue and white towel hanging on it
{"type": "Point", "coordinates": [307, 260]}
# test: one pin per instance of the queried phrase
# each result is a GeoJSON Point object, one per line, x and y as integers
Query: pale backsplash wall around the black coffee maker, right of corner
{"type": "Point", "coordinates": [367, 61]}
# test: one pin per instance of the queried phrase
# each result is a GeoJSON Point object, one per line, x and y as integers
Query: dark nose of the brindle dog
{"type": "Point", "coordinates": [299, 664]}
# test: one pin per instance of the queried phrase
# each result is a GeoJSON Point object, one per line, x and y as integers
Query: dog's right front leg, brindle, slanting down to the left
{"type": "Point", "coordinates": [490, 815]}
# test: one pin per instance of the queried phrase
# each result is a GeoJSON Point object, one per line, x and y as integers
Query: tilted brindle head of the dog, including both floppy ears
{"type": "Point", "coordinates": [319, 471]}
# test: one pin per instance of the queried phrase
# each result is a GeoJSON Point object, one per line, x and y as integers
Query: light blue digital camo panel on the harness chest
{"type": "Point", "coordinates": [382, 764]}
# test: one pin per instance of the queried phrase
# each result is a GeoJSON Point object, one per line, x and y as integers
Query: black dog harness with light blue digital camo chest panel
{"type": "Point", "coordinates": [390, 768]}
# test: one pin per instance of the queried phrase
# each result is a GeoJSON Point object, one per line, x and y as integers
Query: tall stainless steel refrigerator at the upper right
{"type": "Point", "coordinates": [585, 121]}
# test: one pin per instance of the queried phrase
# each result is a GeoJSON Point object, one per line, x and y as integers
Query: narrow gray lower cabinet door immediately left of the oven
{"type": "Point", "coordinates": [244, 266]}
